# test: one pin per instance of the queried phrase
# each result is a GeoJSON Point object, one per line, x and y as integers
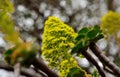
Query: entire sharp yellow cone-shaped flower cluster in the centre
{"type": "Point", "coordinates": [58, 39]}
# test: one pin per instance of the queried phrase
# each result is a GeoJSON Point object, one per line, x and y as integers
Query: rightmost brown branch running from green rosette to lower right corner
{"type": "Point", "coordinates": [104, 59]}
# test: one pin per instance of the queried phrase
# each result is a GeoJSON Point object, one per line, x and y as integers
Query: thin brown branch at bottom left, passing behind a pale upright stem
{"type": "Point", "coordinates": [23, 71]}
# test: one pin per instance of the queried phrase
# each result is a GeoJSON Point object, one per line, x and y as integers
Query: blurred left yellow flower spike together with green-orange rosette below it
{"type": "Point", "coordinates": [21, 52]}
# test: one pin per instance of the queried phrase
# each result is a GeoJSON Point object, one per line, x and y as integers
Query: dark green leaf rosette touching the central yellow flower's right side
{"type": "Point", "coordinates": [85, 36]}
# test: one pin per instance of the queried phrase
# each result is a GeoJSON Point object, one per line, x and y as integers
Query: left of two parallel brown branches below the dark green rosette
{"type": "Point", "coordinates": [94, 62]}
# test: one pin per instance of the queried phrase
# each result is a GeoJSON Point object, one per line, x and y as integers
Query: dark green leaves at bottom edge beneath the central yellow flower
{"type": "Point", "coordinates": [76, 72]}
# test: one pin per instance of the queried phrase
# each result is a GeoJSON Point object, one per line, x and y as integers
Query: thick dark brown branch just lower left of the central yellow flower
{"type": "Point", "coordinates": [38, 63]}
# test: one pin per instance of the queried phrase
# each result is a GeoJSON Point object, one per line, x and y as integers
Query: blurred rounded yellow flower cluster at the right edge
{"type": "Point", "coordinates": [111, 22]}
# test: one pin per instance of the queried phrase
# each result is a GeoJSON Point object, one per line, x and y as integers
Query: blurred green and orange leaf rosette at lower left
{"type": "Point", "coordinates": [24, 54]}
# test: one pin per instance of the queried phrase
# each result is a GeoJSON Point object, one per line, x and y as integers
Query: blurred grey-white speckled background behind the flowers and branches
{"type": "Point", "coordinates": [30, 15]}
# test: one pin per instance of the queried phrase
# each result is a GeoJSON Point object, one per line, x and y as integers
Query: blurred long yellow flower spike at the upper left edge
{"type": "Point", "coordinates": [6, 23]}
